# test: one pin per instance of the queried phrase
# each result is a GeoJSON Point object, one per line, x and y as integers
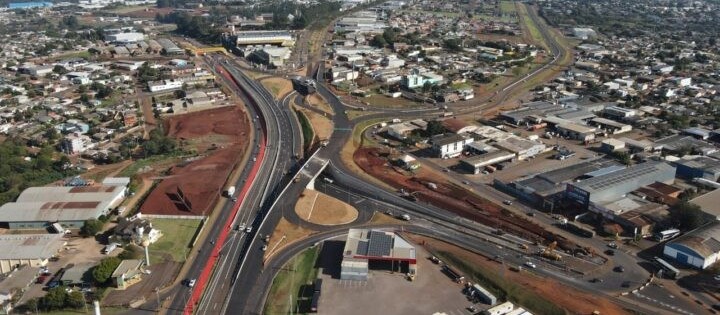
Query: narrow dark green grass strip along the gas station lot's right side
{"type": "Point", "coordinates": [502, 288]}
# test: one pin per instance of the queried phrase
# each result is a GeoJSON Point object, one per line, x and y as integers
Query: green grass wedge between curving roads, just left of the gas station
{"type": "Point", "coordinates": [295, 278]}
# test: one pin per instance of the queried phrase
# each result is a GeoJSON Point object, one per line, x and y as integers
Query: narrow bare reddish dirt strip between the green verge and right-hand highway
{"type": "Point", "coordinates": [572, 300]}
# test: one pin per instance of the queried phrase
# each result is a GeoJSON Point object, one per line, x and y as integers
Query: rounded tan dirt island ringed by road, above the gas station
{"type": "Point", "coordinates": [319, 208]}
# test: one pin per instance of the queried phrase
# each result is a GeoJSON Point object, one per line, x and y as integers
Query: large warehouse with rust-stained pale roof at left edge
{"type": "Point", "coordinates": [39, 207]}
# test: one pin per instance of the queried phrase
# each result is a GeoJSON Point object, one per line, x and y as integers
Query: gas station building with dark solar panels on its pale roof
{"type": "Point", "coordinates": [366, 249]}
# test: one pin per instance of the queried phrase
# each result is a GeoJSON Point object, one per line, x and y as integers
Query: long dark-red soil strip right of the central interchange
{"type": "Point", "coordinates": [453, 198]}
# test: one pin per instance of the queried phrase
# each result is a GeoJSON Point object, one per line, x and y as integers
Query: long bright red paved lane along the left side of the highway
{"type": "Point", "coordinates": [204, 277]}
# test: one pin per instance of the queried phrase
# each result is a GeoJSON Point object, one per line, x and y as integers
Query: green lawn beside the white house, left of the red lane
{"type": "Point", "coordinates": [176, 238]}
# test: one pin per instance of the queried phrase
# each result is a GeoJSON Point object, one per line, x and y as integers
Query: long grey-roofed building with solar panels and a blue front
{"type": "Point", "coordinates": [609, 187]}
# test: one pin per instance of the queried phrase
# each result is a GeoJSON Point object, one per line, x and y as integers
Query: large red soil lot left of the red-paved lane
{"type": "Point", "coordinates": [202, 180]}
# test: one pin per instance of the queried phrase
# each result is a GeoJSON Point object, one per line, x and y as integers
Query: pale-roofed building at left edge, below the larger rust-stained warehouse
{"type": "Point", "coordinates": [28, 249]}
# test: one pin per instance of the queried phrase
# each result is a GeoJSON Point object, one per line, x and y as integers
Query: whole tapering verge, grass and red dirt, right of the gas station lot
{"type": "Point", "coordinates": [538, 294]}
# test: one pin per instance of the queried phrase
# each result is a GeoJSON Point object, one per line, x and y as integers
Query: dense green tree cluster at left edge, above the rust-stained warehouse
{"type": "Point", "coordinates": [20, 169]}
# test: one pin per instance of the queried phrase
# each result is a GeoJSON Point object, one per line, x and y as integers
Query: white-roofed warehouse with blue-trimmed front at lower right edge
{"type": "Point", "coordinates": [698, 248]}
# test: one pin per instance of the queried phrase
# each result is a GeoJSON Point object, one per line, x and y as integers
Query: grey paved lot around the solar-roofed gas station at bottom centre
{"type": "Point", "coordinates": [387, 293]}
